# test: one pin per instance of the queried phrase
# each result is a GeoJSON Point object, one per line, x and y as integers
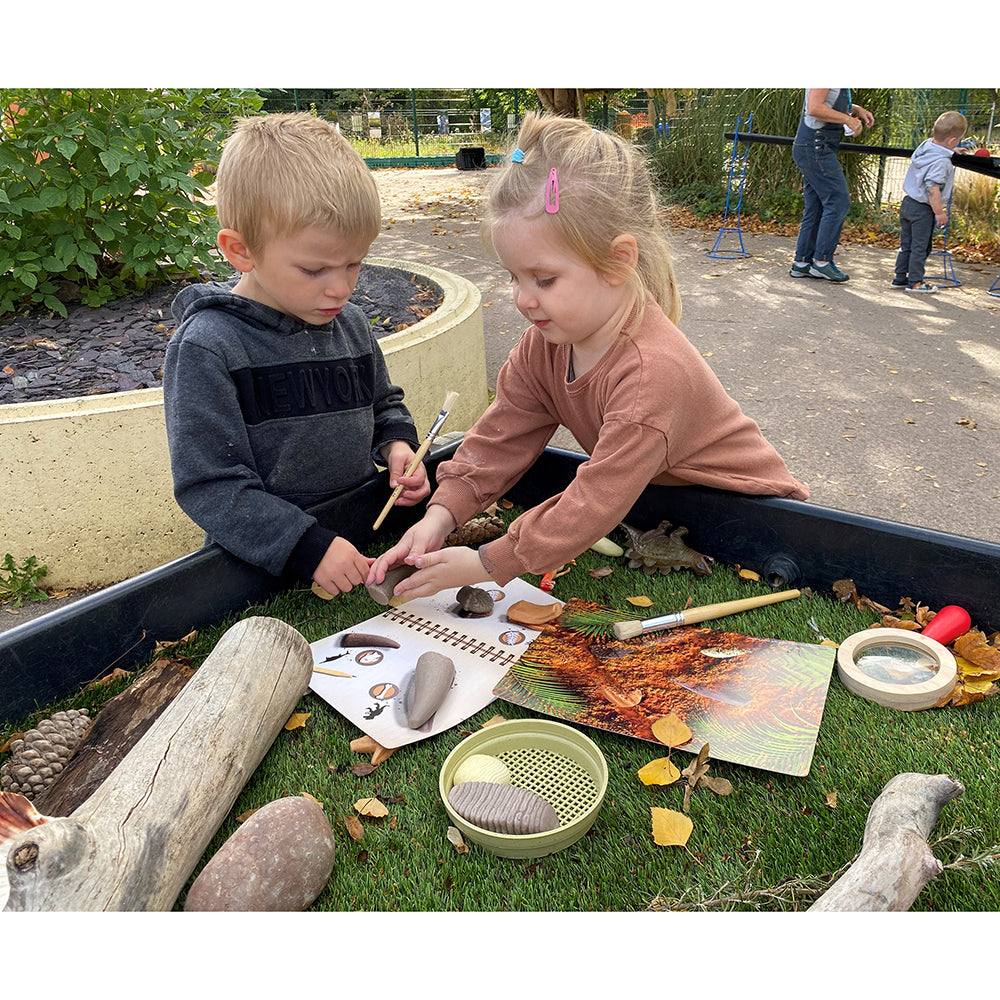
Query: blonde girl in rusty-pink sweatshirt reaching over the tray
{"type": "Point", "coordinates": [573, 218]}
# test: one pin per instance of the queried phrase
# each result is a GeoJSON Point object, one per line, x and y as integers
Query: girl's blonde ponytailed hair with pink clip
{"type": "Point", "coordinates": [605, 190]}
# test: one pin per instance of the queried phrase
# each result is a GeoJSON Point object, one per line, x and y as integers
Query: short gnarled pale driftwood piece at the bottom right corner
{"type": "Point", "coordinates": [895, 861]}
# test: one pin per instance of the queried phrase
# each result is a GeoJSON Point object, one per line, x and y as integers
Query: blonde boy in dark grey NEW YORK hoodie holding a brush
{"type": "Point", "coordinates": [276, 394]}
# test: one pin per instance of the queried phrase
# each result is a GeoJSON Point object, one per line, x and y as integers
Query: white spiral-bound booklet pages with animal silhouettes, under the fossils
{"type": "Point", "coordinates": [372, 692]}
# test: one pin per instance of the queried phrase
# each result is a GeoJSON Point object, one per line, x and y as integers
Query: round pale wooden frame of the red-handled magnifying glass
{"type": "Point", "coordinates": [908, 697]}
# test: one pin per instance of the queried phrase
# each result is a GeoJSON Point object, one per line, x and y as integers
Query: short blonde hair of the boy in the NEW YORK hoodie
{"type": "Point", "coordinates": [282, 173]}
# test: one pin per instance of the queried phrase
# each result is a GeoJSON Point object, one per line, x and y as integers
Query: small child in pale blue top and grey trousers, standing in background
{"type": "Point", "coordinates": [926, 190]}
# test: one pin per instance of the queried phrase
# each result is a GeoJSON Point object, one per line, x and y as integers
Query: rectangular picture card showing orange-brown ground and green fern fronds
{"type": "Point", "coordinates": [757, 702]}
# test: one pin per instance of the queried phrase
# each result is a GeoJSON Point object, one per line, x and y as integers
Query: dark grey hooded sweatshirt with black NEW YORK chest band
{"type": "Point", "coordinates": [266, 415]}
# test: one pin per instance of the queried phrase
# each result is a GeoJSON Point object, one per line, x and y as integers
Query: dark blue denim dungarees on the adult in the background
{"type": "Point", "coordinates": [826, 197]}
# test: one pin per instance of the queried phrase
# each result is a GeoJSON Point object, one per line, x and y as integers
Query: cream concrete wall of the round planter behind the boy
{"type": "Point", "coordinates": [86, 481]}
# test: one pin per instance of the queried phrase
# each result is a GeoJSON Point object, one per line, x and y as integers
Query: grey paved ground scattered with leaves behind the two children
{"type": "Point", "coordinates": [886, 404]}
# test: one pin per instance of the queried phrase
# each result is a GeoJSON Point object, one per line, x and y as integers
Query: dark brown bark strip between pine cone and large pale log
{"type": "Point", "coordinates": [114, 732]}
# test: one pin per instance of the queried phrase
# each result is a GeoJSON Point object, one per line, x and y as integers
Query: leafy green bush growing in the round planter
{"type": "Point", "coordinates": [99, 195]}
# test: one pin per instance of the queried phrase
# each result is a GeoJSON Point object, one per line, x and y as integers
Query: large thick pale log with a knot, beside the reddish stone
{"type": "Point", "coordinates": [135, 841]}
